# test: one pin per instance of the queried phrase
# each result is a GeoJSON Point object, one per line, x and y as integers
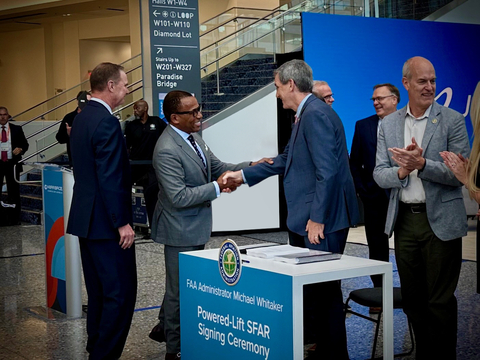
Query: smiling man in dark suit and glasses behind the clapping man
{"type": "Point", "coordinates": [362, 162]}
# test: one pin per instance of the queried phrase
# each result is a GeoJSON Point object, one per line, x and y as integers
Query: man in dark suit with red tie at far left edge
{"type": "Point", "coordinates": [13, 146]}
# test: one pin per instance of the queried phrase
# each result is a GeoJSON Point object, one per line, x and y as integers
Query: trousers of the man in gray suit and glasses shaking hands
{"type": "Point", "coordinates": [169, 314]}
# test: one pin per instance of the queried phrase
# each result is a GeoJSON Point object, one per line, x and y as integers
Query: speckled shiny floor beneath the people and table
{"type": "Point", "coordinates": [24, 335]}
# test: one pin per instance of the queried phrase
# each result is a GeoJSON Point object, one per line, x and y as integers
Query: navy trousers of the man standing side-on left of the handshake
{"type": "Point", "coordinates": [111, 280]}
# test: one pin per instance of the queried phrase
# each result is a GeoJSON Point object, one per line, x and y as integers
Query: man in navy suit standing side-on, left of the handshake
{"type": "Point", "coordinates": [101, 214]}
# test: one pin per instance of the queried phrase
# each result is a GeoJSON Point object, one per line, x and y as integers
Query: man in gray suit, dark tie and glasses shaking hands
{"type": "Point", "coordinates": [186, 170]}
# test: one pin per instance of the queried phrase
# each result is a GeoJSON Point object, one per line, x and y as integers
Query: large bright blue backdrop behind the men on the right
{"type": "Point", "coordinates": [354, 53]}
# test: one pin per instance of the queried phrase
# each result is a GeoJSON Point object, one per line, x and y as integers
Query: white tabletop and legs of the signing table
{"type": "Point", "coordinates": [344, 268]}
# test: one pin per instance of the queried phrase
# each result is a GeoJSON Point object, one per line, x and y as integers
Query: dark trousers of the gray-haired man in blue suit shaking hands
{"type": "Point", "coordinates": [324, 320]}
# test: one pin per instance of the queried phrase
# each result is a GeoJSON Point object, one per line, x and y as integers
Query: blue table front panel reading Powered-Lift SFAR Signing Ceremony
{"type": "Point", "coordinates": [241, 325]}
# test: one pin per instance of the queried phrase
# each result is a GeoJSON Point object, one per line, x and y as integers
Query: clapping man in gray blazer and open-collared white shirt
{"type": "Point", "coordinates": [426, 208]}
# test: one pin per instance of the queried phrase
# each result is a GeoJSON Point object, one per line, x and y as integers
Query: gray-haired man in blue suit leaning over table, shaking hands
{"type": "Point", "coordinates": [320, 195]}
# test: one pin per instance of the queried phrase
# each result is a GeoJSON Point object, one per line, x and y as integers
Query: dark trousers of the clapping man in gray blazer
{"type": "Point", "coordinates": [429, 269]}
